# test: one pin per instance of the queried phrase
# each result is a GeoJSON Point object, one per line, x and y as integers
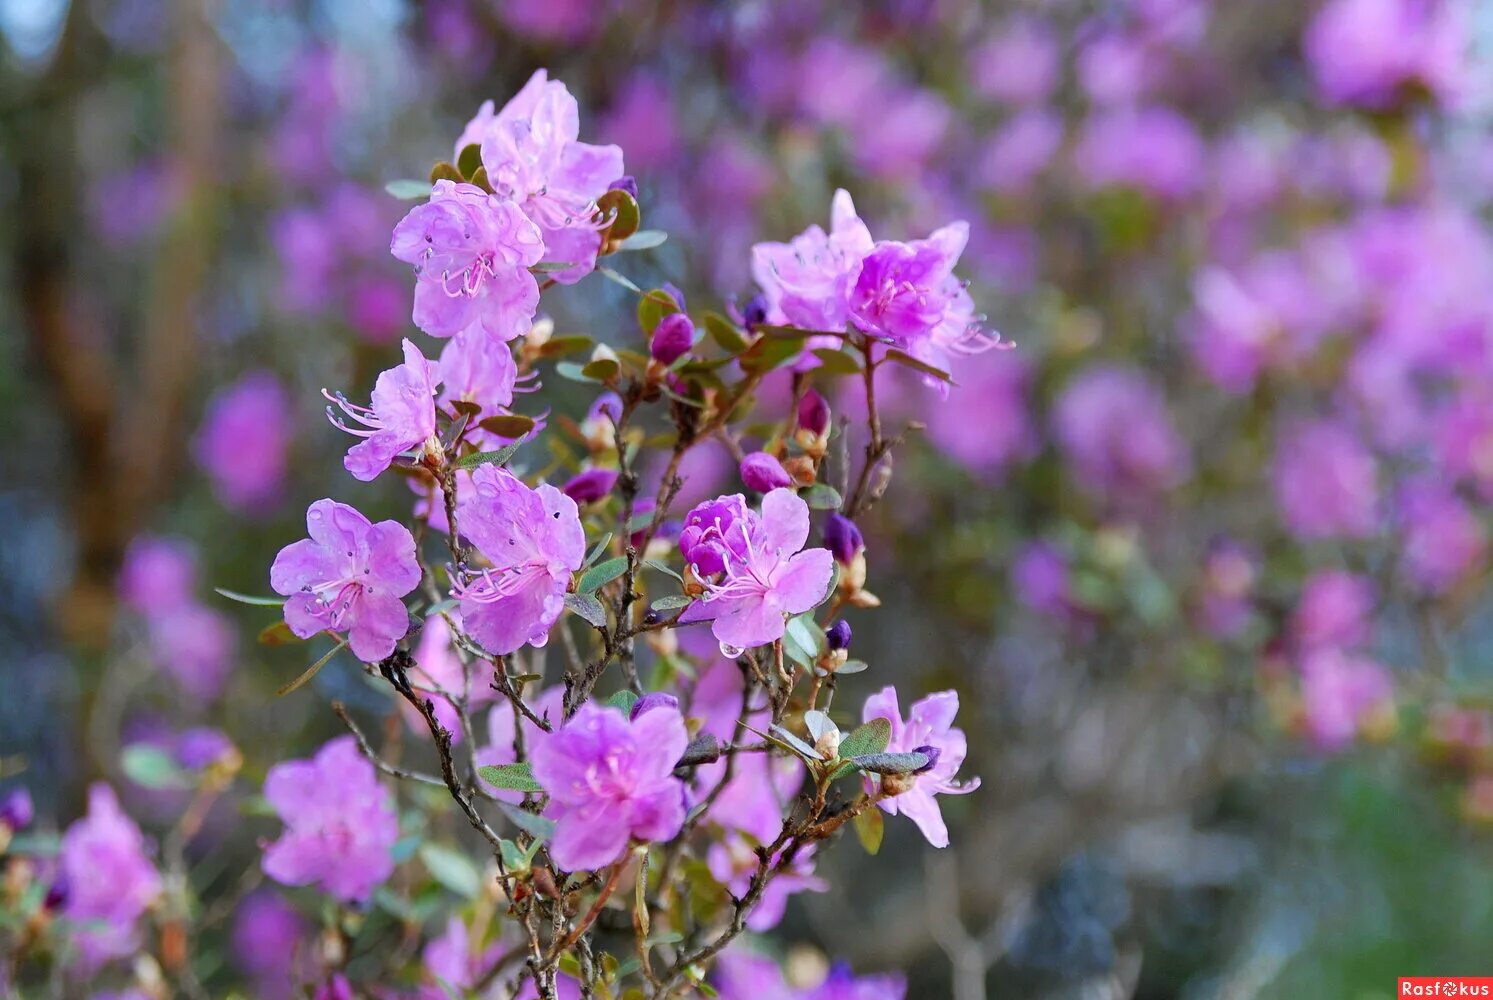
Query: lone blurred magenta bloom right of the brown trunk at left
{"type": "Point", "coordinates": [244, 443]}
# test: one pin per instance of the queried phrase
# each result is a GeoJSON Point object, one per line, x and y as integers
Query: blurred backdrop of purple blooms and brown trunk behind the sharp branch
{"type": "Point", "coordinates": [1204, 556]}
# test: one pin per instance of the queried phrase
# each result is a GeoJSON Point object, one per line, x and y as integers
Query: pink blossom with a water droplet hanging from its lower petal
{"type": "Point", "coordinates": [767, 575]}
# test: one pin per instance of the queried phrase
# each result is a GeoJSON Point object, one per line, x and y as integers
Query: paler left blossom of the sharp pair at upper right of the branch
{"type": "Point", "coordinates": [807, 283]}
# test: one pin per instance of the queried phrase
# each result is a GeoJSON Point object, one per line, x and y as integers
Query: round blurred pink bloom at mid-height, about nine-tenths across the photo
{"type": "Point", "coordinates": [1327, 481]}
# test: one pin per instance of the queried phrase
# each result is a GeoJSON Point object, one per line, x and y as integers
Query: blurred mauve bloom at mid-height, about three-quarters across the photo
{"type": "Point", "coordinates": [1113, 426]}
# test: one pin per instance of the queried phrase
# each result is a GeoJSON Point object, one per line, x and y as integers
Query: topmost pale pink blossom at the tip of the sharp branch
{"type": "Point", "coordinates": [534, 160]}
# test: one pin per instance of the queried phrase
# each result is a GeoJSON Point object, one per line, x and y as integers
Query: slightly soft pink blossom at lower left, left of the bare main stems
{"type": "Point", "coordinates": [341, 823]}
